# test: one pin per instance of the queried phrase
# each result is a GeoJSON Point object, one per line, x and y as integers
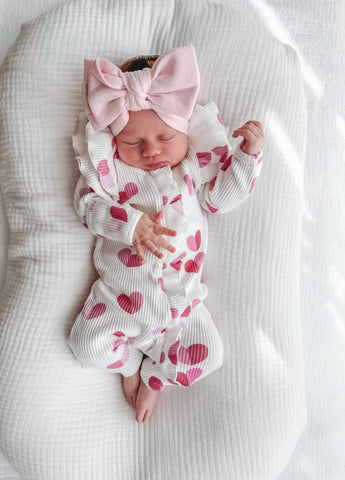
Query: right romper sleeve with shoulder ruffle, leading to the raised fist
{"type": "Point", "coordinates": [225, 178]}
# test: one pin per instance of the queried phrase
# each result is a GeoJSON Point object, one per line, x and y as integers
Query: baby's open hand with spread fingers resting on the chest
{"type": "Point", "coordinates": [148, 234]}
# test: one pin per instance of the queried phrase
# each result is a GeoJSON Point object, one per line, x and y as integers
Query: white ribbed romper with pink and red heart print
{"type": "Point", "coordinates": [156, 308]}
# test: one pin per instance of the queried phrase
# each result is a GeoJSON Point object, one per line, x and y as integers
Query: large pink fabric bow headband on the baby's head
{"type": "Point", "coordinates": [169, 88]}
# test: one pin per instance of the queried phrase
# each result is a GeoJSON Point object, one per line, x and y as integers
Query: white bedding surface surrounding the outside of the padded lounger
{"type": "Point", "coordinates": [319, 454]}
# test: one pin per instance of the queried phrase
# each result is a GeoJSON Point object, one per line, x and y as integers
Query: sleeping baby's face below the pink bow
{"type": "Point", "coordinates": [148, 143]}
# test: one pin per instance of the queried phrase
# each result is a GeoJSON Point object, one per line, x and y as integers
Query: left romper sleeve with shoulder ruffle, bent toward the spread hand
{"type": "Point", "coordinates": [96, 197]}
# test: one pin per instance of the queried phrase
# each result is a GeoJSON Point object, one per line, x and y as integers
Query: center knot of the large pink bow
{"type": "Point", "coordinates": [137, 85]}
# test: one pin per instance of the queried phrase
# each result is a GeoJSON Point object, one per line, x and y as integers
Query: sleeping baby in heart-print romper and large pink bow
{"type": "Point", "coordinates": [153, 166]}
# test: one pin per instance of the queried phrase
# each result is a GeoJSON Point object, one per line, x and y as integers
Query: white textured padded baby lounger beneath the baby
{"type": "Point", "coordinates": [60, 421]}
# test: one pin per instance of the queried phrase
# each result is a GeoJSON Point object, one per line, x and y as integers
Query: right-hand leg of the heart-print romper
{"type": "Point", "coordinates": [192, 355]}
